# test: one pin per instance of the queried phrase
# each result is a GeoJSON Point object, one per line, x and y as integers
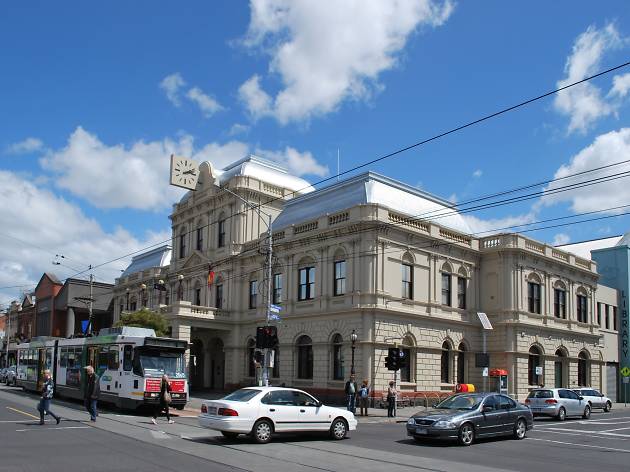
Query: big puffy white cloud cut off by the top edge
{"type": "Point", "coordinates": [329, 51]}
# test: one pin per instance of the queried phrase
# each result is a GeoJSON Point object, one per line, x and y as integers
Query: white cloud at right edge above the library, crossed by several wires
{"type": "Point", "coordinates": [607, 149]}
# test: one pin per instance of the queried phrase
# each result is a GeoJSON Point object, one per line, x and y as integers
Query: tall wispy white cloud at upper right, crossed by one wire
{"type": "Point", "coordinates": [583, 103]}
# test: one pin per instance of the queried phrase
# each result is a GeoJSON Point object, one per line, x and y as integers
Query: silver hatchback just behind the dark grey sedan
{"type": "Point", "coordinates": [558, 403]}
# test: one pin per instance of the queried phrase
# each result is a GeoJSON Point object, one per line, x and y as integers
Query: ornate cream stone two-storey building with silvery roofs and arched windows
{"type": "Point", "coordinates": [373, 256]}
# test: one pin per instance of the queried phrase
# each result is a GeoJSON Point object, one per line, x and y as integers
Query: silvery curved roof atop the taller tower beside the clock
{"type": "Point", "coordinates": [263, 170]}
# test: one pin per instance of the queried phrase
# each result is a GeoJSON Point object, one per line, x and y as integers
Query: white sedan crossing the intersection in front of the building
{"type": "Point", "coordinates": [263, 411]}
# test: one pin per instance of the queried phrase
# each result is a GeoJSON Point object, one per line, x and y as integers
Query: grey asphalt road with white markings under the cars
{"type": "Point", "coordinates": [124, 441]}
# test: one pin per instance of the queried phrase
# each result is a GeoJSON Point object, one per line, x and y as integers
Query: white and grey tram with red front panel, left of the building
{"type": "Point", "coordinates": [129, 362]}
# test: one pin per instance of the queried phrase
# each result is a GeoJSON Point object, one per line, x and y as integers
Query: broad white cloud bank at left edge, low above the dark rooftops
{"type": "Point", "coordinates": [47, 220]}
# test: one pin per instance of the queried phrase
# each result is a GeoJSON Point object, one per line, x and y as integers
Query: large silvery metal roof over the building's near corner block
{"type": "Point", "coordinates": [371, 188]}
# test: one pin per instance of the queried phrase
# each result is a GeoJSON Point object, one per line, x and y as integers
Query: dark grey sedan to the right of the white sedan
{"type": "Point", "coordinates": [468, 416]}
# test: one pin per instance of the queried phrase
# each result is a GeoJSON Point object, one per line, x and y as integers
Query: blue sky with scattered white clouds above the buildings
{"type": "Point", "coordinates": [94, 97]}
